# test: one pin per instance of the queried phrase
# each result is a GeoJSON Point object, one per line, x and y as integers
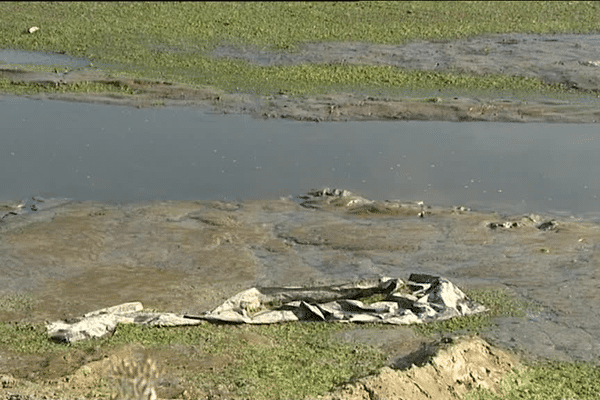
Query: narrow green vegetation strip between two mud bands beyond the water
{"type": "Point", "coordinates": [320, 78]}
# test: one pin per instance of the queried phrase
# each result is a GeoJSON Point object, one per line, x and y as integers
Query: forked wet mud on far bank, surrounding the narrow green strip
{"type": "Point", "coordinates": [567, 60]}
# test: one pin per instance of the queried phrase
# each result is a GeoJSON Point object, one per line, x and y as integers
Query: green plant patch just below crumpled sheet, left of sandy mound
{"type": "Point", "coordinates": [292, 361]}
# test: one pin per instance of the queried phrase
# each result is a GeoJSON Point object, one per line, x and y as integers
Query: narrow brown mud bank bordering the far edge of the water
{"type": "Point", "coordinates": [333, 107]}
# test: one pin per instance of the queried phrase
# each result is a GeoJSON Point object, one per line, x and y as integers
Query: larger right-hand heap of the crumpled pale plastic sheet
{"type": "Point", "coordinates": [424, 298]}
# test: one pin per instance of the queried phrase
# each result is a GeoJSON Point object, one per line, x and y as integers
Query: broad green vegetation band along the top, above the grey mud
{"type": "Point", "coordinates": [128, 31]}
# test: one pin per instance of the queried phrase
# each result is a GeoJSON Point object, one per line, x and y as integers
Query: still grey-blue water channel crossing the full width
{"type": "Point", "coordinates": [121, 155]}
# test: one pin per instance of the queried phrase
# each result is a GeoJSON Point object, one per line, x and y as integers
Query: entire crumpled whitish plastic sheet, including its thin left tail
{"type": "Point", "coordinates": [421, 299]}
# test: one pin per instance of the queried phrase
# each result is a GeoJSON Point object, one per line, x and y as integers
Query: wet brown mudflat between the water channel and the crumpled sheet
{"type": "Point", "coordinates": [66, 259]}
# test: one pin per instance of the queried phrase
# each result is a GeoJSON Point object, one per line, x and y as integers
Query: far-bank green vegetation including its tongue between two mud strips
{"type": "Point", "coordinates": [173, 41]}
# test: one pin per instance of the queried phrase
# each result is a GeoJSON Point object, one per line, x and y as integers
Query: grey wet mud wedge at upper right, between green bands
{"type": "Point", "coordinates": [569, 60]}
